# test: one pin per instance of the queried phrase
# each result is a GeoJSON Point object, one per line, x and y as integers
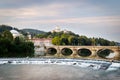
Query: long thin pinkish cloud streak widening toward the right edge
{"type": "Point", "coordinates": [84, 20]}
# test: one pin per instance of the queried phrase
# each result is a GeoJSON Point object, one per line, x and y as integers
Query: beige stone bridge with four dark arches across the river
{"type": "Point", "coordinates": [92, 52]}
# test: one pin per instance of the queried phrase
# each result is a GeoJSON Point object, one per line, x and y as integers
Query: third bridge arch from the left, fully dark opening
{"type": "Point", "coordinates": [83, 52]}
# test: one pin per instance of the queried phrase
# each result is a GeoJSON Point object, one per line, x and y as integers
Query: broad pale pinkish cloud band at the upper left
{"type": "Point", "coordinates": [31, 12]}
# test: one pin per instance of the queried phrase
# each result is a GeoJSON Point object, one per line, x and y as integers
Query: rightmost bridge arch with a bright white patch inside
{"type": "Point", "coordinates": [106, 53]}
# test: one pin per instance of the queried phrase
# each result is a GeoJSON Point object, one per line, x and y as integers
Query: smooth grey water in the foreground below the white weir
{"type": "Point", "coordinates": [53, 72]}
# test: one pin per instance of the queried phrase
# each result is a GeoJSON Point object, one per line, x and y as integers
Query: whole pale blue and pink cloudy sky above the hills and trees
{"type": "Point", "coordinates": [92, 18]}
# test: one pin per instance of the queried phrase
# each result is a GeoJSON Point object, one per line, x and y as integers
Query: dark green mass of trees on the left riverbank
{"type": "Point", "coordinates": [17, 47]}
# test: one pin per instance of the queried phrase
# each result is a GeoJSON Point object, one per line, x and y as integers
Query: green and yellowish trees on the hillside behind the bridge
{"type": "Point", "coordinates": [61, 38]}
